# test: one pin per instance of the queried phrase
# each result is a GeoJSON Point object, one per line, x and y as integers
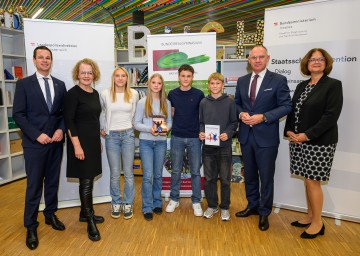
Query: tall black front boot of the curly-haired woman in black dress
{"type": "Point", "coordinates": [85, 189]}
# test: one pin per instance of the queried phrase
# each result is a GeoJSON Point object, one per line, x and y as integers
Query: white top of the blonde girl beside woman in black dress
{"type": "Point", "coordinates": [118, 115]}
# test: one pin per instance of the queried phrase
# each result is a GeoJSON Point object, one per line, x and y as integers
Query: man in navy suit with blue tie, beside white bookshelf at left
{"type": "Point", "coordinates": [38, 111]}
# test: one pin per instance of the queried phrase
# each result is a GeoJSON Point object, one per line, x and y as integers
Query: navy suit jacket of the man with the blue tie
{"type": "Point", "coordinates": [31, 113]}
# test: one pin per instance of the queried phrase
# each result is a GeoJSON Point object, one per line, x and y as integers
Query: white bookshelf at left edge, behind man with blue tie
{"type": "Point", "coordinates": [12, 53]}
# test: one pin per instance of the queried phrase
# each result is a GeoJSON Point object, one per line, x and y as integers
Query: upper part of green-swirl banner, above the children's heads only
{"type": "Point", "coordinates": [167, 52]}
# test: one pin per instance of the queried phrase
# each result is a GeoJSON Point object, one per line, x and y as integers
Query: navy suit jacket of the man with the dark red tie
{"type": "Point", "coordinates": [273, 100]}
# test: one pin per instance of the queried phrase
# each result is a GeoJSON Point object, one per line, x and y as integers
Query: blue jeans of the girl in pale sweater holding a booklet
{"type": "Point", "coordinates": [152, 153]}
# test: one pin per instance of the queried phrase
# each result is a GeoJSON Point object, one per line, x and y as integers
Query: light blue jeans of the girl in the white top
{"type": "Point", "coordinates": [121, 143]}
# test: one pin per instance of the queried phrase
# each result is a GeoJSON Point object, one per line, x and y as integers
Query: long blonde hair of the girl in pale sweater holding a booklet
{"type": "Point", "coordinates": [149, 100]}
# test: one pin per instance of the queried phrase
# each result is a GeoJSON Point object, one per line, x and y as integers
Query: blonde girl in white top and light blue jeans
{"type": "Point", "coordinates": [118, 108]}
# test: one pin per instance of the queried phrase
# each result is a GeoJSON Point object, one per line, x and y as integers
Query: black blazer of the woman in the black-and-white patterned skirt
{"type": "Point", "coordinates": [319, 112]}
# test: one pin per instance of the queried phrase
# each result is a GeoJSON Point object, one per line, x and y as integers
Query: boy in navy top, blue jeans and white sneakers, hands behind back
{"type": "Point", "coordinates": [185, 102]}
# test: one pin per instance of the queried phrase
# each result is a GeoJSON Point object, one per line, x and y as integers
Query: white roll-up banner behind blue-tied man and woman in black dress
{"type": "Point", "coordinates": [69, 43]}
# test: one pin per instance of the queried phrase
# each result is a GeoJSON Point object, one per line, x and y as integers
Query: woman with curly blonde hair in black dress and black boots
{"type": "Point", "coordinates": [81, 112]}
